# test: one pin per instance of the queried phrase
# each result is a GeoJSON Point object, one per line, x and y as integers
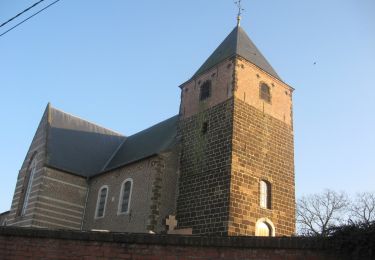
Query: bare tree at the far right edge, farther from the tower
{"type": "Point", "coordinates": [362, 209]}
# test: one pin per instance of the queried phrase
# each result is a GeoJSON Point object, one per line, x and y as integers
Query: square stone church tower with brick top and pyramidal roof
{"type": "Point", "coordinates": [237, 159]}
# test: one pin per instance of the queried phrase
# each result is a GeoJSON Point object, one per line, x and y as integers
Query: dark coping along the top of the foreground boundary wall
{"type": "Point", "coordinates": [301, 243]}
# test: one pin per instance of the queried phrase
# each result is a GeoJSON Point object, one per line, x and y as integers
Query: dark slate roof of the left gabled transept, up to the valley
{"type": "Point", "coordinates": [78, 146]}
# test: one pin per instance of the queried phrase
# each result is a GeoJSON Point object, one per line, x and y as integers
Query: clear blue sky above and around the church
{"type": "Point", "coordinates": [119, 64]}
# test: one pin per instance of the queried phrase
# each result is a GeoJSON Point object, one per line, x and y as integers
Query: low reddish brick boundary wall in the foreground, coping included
{"type": "Point", "coordinates": [20, 243]}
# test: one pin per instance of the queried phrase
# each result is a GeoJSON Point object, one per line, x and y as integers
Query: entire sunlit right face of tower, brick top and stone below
{"type": "Point", "coordinates": [263, 149]}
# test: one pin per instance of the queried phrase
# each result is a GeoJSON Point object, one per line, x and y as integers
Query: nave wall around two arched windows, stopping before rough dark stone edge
{"type": "Point", "coordinates": [143, 175]}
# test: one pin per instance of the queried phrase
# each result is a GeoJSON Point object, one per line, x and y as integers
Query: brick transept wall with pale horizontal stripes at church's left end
{"type": "Point", "coordinates": [56, 198]}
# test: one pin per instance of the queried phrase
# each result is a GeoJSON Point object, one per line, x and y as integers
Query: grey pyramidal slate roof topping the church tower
{"type": "Point", "coordinates": [237, 43]}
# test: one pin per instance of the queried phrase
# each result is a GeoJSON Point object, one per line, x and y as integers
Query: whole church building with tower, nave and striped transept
{"type": "Point", "coordinates": [224, 166]}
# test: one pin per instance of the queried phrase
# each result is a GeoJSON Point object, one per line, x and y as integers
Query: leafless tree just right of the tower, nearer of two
{"type": "Point", "coordinates": [317, 213]}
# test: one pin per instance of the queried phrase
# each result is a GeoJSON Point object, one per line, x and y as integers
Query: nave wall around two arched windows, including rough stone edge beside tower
{"type": "Point", "coordinates": [152, 197]}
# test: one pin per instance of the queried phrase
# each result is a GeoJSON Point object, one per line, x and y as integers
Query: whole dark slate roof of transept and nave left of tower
{"type": "Point", "coordinates": [86, 149]}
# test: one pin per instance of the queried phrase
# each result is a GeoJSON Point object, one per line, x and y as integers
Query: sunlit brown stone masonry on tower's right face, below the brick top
{"type": "Point", "coordinates": [262, 150]}
